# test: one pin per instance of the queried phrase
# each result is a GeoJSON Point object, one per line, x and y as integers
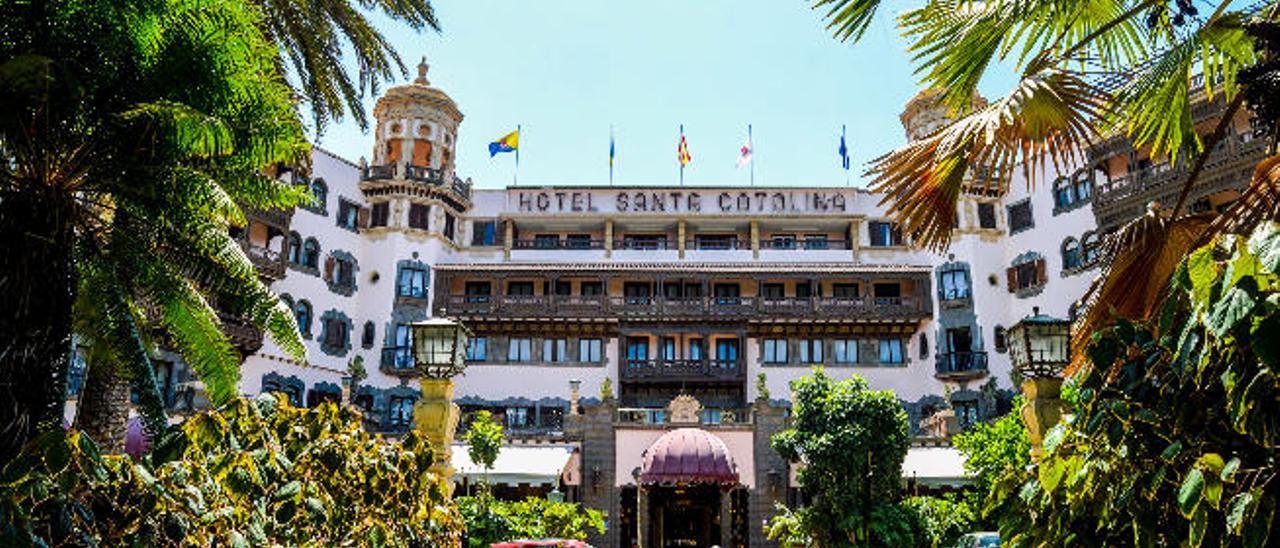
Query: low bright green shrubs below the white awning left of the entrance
{"type": "Point", "coordinates": [490, 522]}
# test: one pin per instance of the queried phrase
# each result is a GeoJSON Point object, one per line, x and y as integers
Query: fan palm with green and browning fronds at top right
{"type": "Point", "coordinates": [1059, 107]}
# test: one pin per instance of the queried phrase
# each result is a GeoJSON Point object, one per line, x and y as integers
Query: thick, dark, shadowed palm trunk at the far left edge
{"type": "Point", "coordinates": [38, 287]}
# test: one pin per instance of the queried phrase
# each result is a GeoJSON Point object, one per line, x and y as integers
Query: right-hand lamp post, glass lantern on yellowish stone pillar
{"type": "Point", "coordinates": [1040, 348]}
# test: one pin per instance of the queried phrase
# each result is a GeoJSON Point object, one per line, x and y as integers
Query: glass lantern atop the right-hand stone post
{"type": "Point", "coordinates": [1040, 346]}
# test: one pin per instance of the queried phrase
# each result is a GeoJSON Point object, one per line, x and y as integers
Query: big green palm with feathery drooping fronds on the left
{"type": "Point", "coordinates": [131, 138]}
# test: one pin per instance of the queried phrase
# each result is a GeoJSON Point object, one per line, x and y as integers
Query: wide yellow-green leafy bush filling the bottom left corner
{"type": "Point", "coordinates": [257, 473]}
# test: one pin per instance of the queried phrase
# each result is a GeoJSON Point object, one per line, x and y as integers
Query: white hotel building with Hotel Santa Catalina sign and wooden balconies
{"type": "Point", "coordinates": [638, 342]}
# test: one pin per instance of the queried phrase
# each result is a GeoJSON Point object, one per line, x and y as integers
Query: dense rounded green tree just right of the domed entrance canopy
{"type": "Point", "coordinates": [852, 441]}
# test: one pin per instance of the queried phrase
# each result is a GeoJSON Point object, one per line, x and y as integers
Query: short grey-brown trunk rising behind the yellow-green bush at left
{"type": "Point", "coordinates": [103, 413]}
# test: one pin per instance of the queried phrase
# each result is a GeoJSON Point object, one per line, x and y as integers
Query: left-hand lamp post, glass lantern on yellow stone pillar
{"type": "Point", "coordinates": [440, 351]}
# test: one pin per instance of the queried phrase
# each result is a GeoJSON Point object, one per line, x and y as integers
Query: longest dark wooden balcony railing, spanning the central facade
{"type": "Point", "coordinates": [712, 308]}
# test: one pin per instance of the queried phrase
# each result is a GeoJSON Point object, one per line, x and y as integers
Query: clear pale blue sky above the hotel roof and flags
{"type": "Point", "coordinates": [566, 71]}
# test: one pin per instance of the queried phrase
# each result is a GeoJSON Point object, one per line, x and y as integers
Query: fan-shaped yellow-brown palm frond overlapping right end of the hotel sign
{"type": "Point", "coordinates": [1045, 121]}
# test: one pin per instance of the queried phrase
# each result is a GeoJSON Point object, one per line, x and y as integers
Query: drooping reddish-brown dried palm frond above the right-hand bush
{"type": "Point", "coordinates": [1140, 261]}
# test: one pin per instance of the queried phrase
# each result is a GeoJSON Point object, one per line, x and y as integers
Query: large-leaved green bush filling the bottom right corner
{"type": "Point", "coordinates": [1177, 428]}
